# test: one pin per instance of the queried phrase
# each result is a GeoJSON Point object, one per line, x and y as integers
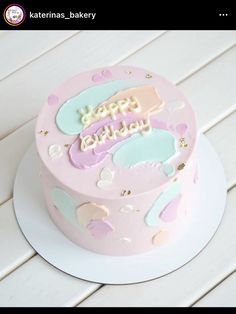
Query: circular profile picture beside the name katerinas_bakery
{"type": "Point", "coordinates": [14, 14]}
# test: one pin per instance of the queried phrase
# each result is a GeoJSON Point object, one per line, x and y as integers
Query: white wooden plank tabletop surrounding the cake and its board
{"type": "Point", "coordinates": [32, 64]}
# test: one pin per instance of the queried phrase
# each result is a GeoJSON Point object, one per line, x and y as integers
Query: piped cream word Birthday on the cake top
{"type": "Point", "coordinates": [109, 133]}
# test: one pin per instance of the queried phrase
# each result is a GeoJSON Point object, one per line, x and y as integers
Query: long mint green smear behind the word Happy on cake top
{"type": "Point", "coordinates": [68, 117]}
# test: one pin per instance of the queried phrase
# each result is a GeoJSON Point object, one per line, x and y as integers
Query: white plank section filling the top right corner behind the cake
{"type": "Point", "coordinates": [178, 54]}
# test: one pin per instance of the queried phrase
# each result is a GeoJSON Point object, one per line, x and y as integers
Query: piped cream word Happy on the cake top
{"type": "Point", "coordinates": [90, 115]}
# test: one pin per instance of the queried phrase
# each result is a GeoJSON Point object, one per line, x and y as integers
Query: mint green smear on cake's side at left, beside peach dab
{"type": "Point", "coordinates": [64, 203]}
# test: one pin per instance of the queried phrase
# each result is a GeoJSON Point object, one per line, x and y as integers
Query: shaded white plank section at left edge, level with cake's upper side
{"type": "Point", "coordinates": [12, 149]}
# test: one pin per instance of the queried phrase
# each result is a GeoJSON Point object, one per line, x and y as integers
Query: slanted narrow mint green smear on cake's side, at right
{"type": "Point", "coordinates": [151, 218]}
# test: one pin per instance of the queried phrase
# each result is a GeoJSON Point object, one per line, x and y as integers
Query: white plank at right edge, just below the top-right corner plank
{"type": "Point", "coordinates": [212, 91]}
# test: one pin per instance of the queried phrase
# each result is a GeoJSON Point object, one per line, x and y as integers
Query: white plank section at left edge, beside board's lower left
{"type": "Point", "coordinates": [14, 249]}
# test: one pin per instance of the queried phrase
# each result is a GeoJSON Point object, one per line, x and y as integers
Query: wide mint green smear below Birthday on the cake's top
{"type": "Point", "coordinates": [158, 146]}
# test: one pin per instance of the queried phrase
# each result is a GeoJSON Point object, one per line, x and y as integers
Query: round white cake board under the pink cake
{"type": "Point", "coordinates": [55, 248]}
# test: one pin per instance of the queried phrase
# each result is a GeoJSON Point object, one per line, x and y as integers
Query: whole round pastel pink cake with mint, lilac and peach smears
{"type": "Point", "coordinates": [117, 152]}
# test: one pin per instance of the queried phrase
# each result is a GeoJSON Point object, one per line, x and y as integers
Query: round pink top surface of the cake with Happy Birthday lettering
{"type": "Point", "coordinates": [116, 131]}
